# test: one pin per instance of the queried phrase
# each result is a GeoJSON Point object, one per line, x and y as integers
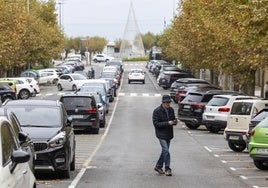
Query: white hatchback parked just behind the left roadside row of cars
{"type": "Point", "coordinates": [71, 81]}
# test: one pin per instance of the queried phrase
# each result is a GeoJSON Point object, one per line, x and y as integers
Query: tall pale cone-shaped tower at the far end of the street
{"type": "Point", "coordinates": [131, 45]}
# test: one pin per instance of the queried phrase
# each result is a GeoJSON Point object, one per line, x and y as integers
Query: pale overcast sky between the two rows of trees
{"type": "Point", "coordinates": [108, 18]}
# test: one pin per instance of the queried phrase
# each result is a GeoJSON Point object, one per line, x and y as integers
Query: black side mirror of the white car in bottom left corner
{"type": "Point", "coordinates": [17, 157]}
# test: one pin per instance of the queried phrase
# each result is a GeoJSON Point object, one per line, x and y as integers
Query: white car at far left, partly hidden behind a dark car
{"type": "Point", "coordinates": [24, 89]}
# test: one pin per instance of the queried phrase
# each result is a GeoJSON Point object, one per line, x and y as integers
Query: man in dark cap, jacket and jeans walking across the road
{"type": "Point", "coordinates": [164, 120]}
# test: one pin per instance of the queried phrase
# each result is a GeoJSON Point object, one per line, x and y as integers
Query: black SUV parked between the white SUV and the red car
{"type": "Point", "coordinates": [191, 108]}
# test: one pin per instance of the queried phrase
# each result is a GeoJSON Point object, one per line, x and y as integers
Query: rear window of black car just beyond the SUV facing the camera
{"type": "Point", "coordinates": [71, 102]}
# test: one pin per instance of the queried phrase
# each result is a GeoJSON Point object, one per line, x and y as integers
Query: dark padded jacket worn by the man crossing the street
{"type": "Point", "coordinates": [160, 120]}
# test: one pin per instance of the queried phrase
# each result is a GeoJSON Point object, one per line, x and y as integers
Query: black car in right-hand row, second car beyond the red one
{"type": "Point", "coordinates": [166, 78]}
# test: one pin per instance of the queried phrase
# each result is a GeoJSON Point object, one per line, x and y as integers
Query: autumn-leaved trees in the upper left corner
{"type": "Point", "coordinates": [29, 33]}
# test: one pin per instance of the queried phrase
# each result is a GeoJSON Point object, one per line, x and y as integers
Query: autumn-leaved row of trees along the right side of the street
{"type": "Point", "coordinates": [227, 37]}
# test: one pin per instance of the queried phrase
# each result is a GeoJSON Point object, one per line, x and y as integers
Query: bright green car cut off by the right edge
{"type": "Point", "coordinates": [258, 145]}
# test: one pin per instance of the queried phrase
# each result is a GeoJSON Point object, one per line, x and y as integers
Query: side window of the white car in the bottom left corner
{"type": "Point", "coordinates": [8, 143]}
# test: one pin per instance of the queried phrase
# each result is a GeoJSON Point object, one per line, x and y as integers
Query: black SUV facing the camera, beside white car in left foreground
{"type": "Point", "coordinates": [48, 125]}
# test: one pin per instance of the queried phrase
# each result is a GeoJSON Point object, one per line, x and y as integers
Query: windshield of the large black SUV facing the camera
{"type": "Point", "coordinates": [37, 116]}
